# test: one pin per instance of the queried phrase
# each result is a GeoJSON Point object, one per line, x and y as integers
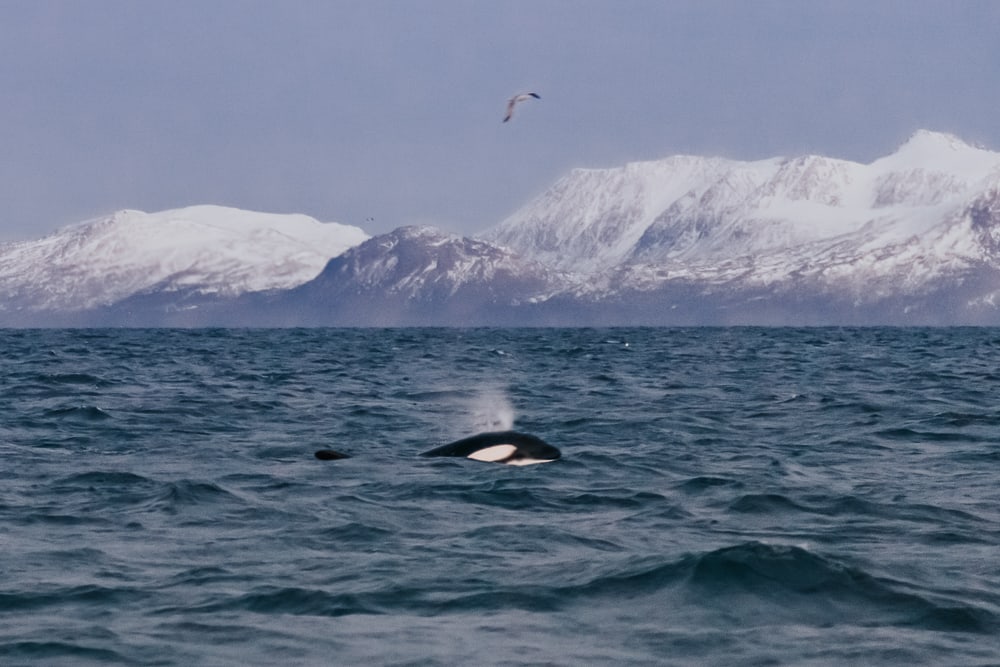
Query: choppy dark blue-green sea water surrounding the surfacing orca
{"type": "Point", "coordinates": [732, 496]}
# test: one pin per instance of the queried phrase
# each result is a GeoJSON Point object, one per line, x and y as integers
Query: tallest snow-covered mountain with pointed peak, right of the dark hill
{"type": "Point", "coordinates": [917, 222]}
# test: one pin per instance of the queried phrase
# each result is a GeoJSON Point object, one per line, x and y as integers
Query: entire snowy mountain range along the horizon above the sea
{"type": "Point", "coordinates": [912, 237]}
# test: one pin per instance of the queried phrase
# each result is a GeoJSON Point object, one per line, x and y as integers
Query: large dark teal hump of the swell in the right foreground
{"type": "Point", "coordinates": [761, 584]}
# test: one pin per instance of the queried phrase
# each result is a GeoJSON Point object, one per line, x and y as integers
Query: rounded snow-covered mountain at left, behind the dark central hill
{"type": "Point", "coordinates": [209, 250]}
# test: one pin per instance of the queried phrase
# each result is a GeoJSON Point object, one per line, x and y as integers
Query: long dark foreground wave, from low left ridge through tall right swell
{"type": "Point", "coordinates": [746, 585]}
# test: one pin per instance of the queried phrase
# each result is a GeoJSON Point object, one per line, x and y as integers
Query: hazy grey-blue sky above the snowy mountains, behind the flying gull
{"type": "Point", "coordinates": [391, 109]}
